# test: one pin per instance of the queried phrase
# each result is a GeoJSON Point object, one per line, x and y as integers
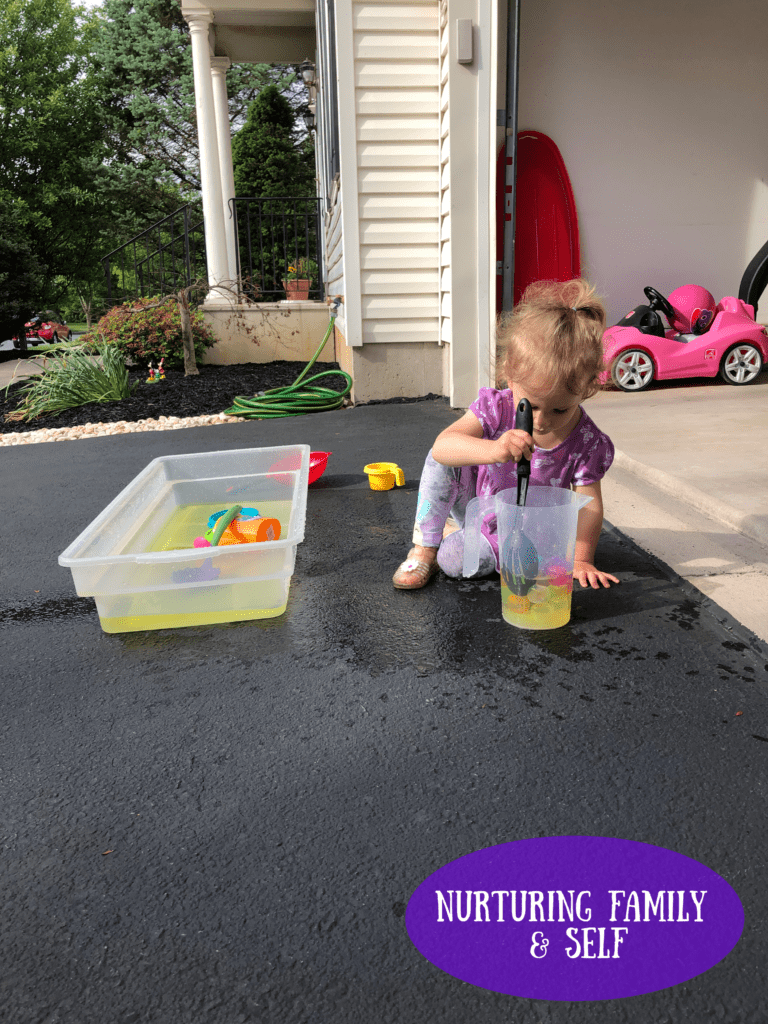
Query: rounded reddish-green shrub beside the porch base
{"type": "Point", "coordinates": [150, 330]}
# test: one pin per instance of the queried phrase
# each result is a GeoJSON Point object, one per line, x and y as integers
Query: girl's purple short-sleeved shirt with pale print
{"type": "Point", "coordinates": [583, 458]}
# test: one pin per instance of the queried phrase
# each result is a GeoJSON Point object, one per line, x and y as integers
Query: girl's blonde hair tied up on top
{"type": "Point", "coordinates": [556, 333]}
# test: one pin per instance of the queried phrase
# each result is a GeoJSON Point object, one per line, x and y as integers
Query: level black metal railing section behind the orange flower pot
{"type": "Point", "coordinates": [275, 235]}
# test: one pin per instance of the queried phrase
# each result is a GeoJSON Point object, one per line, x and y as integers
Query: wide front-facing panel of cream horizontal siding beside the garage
{"type": "Point", "coordinates": [397, 107]}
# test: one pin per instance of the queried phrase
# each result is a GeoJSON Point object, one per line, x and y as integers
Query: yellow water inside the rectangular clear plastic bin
{"type": "Point", "coordinates": [258, 600]}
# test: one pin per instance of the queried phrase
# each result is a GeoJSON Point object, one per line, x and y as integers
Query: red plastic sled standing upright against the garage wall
{"type": "Point", "coordinates": [546, 223]}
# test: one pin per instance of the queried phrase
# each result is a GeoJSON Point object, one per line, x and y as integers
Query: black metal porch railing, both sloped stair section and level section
{"type": "Point", "coordinates": [273, 236]}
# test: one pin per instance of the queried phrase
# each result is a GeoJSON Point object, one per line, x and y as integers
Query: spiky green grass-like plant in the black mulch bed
{"type": "Point", "coordinates": [75, 378]}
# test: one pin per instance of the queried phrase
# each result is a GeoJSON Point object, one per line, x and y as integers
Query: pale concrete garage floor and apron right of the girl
{"type": "Point", "coordinates": [691, 485]}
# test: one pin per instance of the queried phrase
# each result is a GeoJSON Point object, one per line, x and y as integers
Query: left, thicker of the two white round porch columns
{"type": "Point", "coordinates": [210, 175]}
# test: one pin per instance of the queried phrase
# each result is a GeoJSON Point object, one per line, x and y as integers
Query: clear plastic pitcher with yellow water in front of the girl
{"type": "Point", "coordinates": [537, 544]}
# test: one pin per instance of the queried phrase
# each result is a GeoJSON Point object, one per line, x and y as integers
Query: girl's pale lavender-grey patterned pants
{"type": "Point", "coordinates": [446, 491]}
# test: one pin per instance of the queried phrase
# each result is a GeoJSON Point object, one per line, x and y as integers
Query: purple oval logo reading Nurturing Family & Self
{"type": "Point", "coordinates": [575, 918]}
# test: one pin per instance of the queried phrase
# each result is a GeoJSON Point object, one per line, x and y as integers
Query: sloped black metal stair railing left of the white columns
{"type": "Point", "coordinates": [164, 259]}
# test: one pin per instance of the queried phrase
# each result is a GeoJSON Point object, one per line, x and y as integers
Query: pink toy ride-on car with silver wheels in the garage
{"type": "Point", "coordinates": [703, 340]}
